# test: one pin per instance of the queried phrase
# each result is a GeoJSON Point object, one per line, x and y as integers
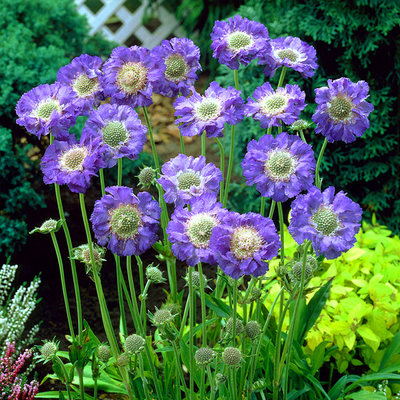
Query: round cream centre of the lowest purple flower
{"type": "Point", "coordinates": [245, 241]}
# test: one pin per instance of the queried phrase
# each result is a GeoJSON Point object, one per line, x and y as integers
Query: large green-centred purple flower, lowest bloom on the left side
{"type": "Point", "coordinates": [128, 224]}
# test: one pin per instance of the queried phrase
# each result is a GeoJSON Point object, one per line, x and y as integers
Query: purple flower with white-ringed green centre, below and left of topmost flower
{"type": "Point", "coordinates": [209, 112]}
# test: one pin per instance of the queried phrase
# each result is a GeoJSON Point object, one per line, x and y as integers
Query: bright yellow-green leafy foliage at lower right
{"type": "Point", "coordinates": [362, 312]}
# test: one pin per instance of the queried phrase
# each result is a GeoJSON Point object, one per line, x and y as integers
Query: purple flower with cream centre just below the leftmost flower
{"type": "Point", "coordinates": [72, 163]}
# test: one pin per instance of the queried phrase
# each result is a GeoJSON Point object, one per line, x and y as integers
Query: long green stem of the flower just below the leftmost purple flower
{"type": "Point", "coordinates": [105, 316]}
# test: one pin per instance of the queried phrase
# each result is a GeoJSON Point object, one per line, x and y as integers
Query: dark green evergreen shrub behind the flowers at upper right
{"type": "Point", "coordinates": [359, 40]}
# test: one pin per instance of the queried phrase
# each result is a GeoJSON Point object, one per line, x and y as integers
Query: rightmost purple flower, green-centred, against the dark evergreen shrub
{"type": "Point", "coordinates": [342, 112]}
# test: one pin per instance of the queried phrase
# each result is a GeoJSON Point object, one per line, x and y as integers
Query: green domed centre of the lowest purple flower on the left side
{"type": "Point", "coordinates": [125, 221]}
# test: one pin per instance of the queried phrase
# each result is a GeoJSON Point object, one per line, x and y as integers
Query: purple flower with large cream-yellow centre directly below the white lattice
{"type": "Point", "coordinates": [129, 76]}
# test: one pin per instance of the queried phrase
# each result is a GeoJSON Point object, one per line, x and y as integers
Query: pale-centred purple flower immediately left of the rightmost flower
{"type": "Point", "coordinates": [271, 107]}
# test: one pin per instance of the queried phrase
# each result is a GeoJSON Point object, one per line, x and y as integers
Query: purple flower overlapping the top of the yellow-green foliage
{"type": "Point", "coordinates": [330, 221]}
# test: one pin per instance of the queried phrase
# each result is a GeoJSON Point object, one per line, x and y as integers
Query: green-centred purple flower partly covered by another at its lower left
{"type": "Point", "coordinates": [120, 129]}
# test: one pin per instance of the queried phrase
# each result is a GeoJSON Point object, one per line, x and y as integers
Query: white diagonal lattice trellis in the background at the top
{"type": "Point", "coordinates": [129, 23]}
